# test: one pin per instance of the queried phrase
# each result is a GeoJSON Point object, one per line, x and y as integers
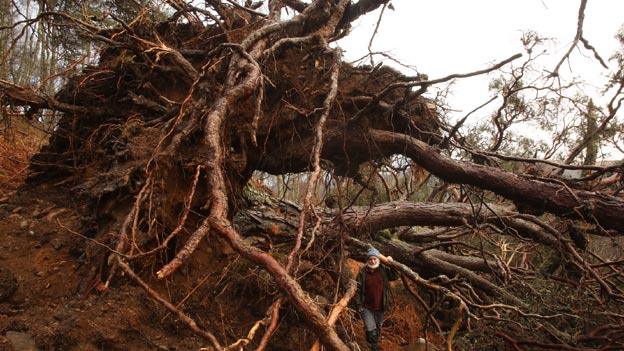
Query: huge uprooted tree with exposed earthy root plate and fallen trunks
{"type": "Point", "coordinates": [160, 139]}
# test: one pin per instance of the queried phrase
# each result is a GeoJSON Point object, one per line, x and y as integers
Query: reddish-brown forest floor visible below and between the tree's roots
{"type": "Point", "coordinates": [51, 298]}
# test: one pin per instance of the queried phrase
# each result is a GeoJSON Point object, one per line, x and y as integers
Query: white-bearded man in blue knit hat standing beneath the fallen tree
{"type": "Point", "coordinates": [372, 298]}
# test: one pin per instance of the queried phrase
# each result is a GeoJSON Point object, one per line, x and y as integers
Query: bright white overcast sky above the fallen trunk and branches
{"type": "Point", "coordinates": [441, 37]}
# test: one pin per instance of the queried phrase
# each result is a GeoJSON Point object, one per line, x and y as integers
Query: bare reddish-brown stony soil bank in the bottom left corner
{"type": "Point", "coordinates": [54, 300]}
